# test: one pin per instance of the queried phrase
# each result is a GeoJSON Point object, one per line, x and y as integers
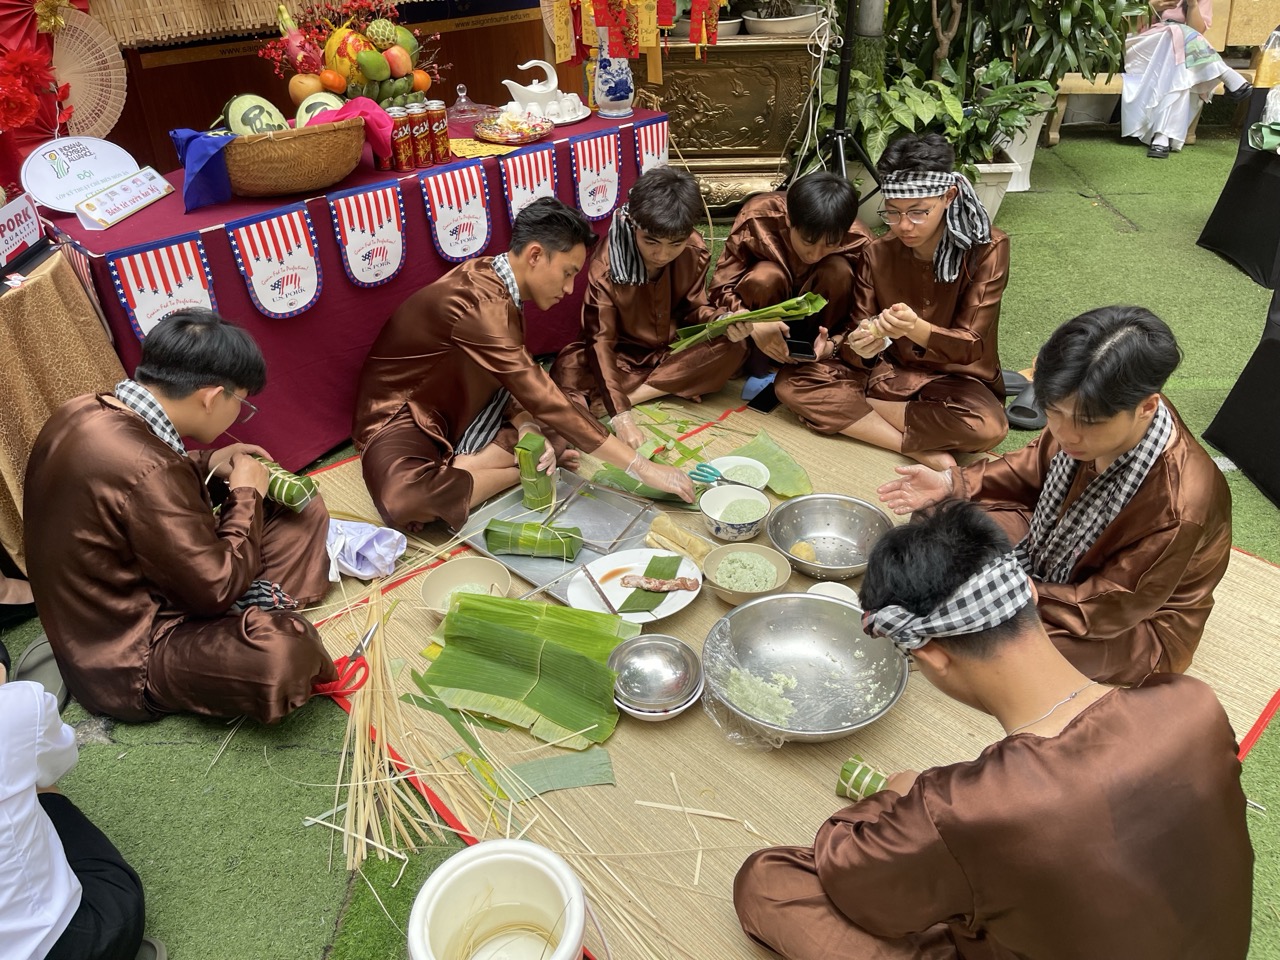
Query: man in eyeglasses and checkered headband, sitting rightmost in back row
{"type": "Point", "coordinates": [918, 372]}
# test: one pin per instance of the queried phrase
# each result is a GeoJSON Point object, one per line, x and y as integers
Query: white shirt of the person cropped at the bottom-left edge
{"type": "Point", "coordinates": [39, 890]}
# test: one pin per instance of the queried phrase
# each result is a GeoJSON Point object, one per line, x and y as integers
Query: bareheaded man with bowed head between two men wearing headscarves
{"type": "Point", "coordinates": [783, 245]}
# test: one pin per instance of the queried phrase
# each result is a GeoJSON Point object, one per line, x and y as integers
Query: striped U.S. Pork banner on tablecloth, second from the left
{"type": "Point", "coordinates": [277, 257]}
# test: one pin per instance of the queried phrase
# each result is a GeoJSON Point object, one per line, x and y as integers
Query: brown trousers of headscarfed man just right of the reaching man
{"type": "Point", "coordinates": [692, 374]}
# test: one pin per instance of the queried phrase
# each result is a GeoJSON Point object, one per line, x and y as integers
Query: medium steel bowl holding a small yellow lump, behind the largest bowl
{"type": "Point", "coordinates": [842, 529]}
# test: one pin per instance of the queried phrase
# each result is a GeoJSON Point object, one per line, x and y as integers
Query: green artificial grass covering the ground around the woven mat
{"type": "Point", "coordinates": [228, 867]}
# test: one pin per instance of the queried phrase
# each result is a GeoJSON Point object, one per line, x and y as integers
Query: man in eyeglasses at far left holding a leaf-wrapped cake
{"type": "Point", "coordinates": [163, 579]}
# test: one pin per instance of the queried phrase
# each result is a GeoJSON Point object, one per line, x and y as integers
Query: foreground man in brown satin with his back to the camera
{"type": "Point", "coordinates": [1105, 824]}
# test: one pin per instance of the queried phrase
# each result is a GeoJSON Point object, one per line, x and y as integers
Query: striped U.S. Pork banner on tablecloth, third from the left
{"type": "Point", "coordinates": [369, 223]}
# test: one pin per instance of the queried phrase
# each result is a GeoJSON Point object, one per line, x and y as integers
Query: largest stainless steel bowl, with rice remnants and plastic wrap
{"type": "Point", "coordinates": [844, 679]}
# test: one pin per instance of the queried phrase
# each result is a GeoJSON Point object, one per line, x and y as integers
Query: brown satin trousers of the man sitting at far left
{"type": "Point", "coordinates": [262, 664]}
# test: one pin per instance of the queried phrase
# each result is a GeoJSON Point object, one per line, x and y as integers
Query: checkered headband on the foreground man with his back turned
{"type": "Point", "coordinates": [989, 598]}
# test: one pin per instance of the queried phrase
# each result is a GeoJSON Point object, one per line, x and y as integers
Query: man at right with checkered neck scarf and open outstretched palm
{"type": "Point", "coordinates": [1121, 516]}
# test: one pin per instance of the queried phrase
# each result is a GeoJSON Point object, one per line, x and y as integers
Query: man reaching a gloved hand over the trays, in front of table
{"type": "Point", "coordinates": [449, 387]}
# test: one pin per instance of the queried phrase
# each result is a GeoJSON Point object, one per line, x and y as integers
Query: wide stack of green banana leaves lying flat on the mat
{"type": "Point", "coordinates": [559, 694]}
